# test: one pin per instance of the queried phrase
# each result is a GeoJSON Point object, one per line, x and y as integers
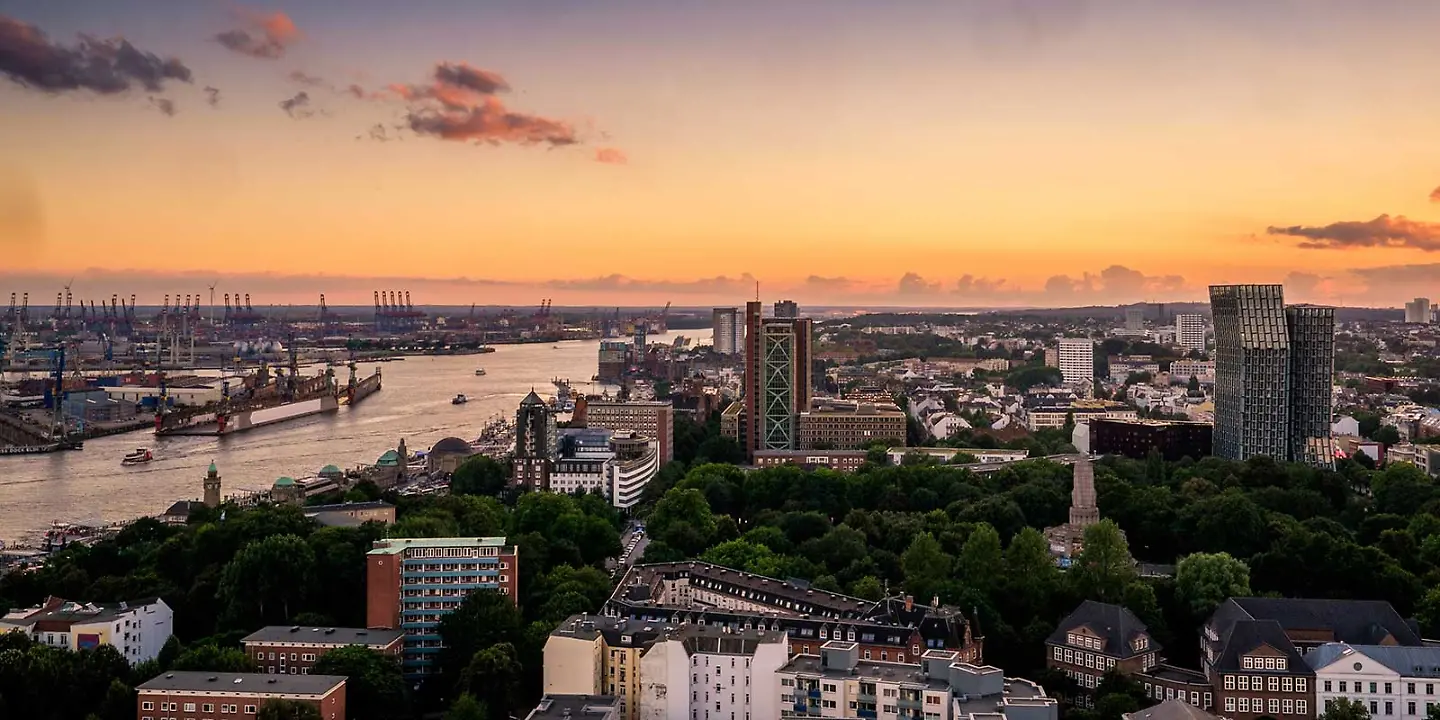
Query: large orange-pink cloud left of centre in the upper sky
{"type": "Point", "coordinates": [462, 104]}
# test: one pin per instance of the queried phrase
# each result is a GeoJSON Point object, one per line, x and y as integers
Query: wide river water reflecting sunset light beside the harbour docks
{"type": "Point", "coordinates": [415, 404]}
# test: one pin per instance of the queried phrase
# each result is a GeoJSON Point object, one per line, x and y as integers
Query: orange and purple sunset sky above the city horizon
{"type": "Point", "coordinates": [633, 152]}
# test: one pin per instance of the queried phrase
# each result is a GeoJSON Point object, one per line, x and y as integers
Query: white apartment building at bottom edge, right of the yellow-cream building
{"type": "Point", "coordinates": [706, 672]}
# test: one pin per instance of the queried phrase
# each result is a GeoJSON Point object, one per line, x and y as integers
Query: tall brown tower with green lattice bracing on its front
{"type": "Point", "coordinates": [777, 379]}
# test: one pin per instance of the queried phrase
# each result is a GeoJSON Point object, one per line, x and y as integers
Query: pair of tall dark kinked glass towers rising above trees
{"type": "Point", "coordinates": [1274, 371]}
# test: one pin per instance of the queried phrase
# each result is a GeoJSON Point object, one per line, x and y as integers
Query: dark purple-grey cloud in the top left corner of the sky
{"type": "Point", "coordinates": [106, 67]}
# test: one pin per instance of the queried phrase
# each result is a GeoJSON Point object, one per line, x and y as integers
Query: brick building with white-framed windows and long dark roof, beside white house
{"type": "Point", "coordinates": [1252, 650]}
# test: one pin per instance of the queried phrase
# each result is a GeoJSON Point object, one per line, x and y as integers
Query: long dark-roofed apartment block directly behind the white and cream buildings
{"type": "Point", "coordinates": [693, 591]}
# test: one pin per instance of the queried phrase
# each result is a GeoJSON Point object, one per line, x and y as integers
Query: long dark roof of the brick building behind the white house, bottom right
{"type": "Point", "coordinates": [1359, 623]}
